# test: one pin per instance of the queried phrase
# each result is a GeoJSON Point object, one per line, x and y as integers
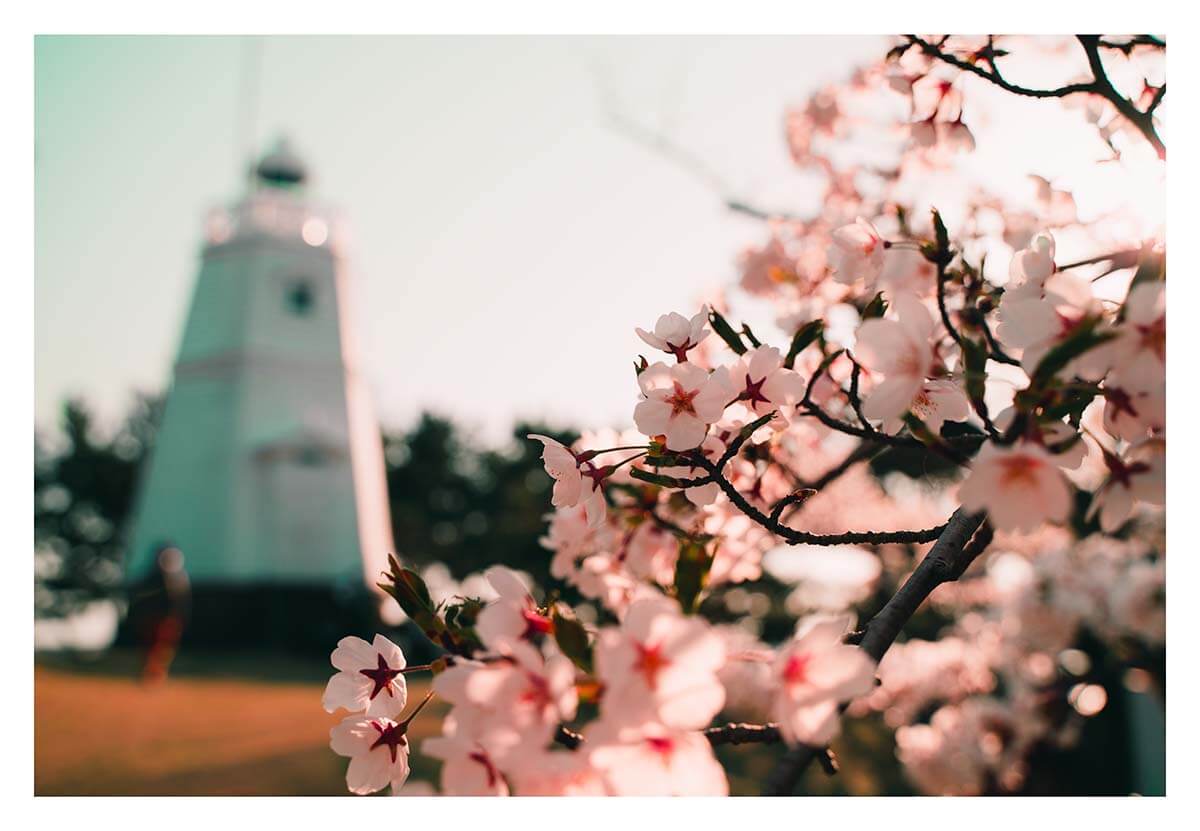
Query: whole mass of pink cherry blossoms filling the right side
{"type": "Point", "coordinates": [1029, 386]}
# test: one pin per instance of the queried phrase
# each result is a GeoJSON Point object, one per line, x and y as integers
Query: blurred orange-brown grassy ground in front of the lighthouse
{"type": "Point", "coordinates": [221, 725]}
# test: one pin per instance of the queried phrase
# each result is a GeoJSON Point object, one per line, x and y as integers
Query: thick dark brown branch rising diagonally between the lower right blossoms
{"type": "Point", "coordinates": [946, 563]}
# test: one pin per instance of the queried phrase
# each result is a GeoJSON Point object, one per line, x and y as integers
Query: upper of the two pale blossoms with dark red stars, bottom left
{"type": "Point", "coordinates": [370, 678]}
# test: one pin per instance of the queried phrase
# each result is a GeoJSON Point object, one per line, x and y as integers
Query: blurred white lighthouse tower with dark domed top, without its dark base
{"type": "Point", "coordinates": [268, 468]}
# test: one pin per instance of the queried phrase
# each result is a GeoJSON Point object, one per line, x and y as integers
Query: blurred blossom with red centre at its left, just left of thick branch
{"type": "Point", "coordinates": [815, 673]}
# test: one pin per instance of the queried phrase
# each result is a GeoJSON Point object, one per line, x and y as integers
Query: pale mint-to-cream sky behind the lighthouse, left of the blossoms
{"type": "Point", "coordinates": [505, 238]}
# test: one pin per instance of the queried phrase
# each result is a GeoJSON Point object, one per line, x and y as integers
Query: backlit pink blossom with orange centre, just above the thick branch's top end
{"type": "Point", "coordinates": [1021, 487]}
